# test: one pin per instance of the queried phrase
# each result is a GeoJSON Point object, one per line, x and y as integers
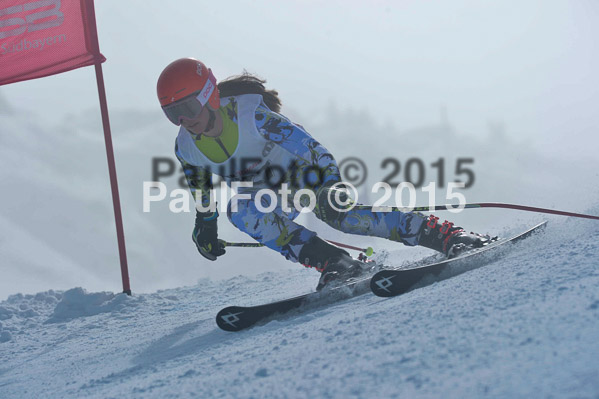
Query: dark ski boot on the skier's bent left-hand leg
{"type": "Point", "coordinates": [332, 262]}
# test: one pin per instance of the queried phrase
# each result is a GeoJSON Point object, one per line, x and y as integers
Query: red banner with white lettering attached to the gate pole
{"type": "Point", "coordinates": [46, 37]}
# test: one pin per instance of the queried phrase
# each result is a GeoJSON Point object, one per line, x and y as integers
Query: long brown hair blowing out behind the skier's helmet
{"type": "Point", "coordinates": [247, 83]}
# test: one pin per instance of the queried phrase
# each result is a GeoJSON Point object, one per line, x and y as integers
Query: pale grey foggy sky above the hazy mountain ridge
{"type": "Point", "coordinates": [531, 65]}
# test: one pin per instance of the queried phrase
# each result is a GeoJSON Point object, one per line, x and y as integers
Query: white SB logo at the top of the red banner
{"type": "Point", "coordinates": [30, 22]}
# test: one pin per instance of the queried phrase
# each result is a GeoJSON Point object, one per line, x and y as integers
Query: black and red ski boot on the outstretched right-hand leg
{"type": "Point", "coordinates": [450, 240]}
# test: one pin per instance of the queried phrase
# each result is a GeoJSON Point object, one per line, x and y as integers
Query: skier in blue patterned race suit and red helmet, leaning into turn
{"type": "Point", "coordinates": [237, 120]}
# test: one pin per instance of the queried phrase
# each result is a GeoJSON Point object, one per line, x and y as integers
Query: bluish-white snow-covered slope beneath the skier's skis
{"type": "Point", "coordinates": [525, 325]}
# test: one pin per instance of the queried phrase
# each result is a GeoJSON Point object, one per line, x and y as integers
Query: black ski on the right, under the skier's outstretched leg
{"type": "Point", "coordinates": [392, 282]}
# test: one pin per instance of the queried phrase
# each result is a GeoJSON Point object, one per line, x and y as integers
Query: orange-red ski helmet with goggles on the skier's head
{"type": "Point", "coordinates": [184, 87]}
